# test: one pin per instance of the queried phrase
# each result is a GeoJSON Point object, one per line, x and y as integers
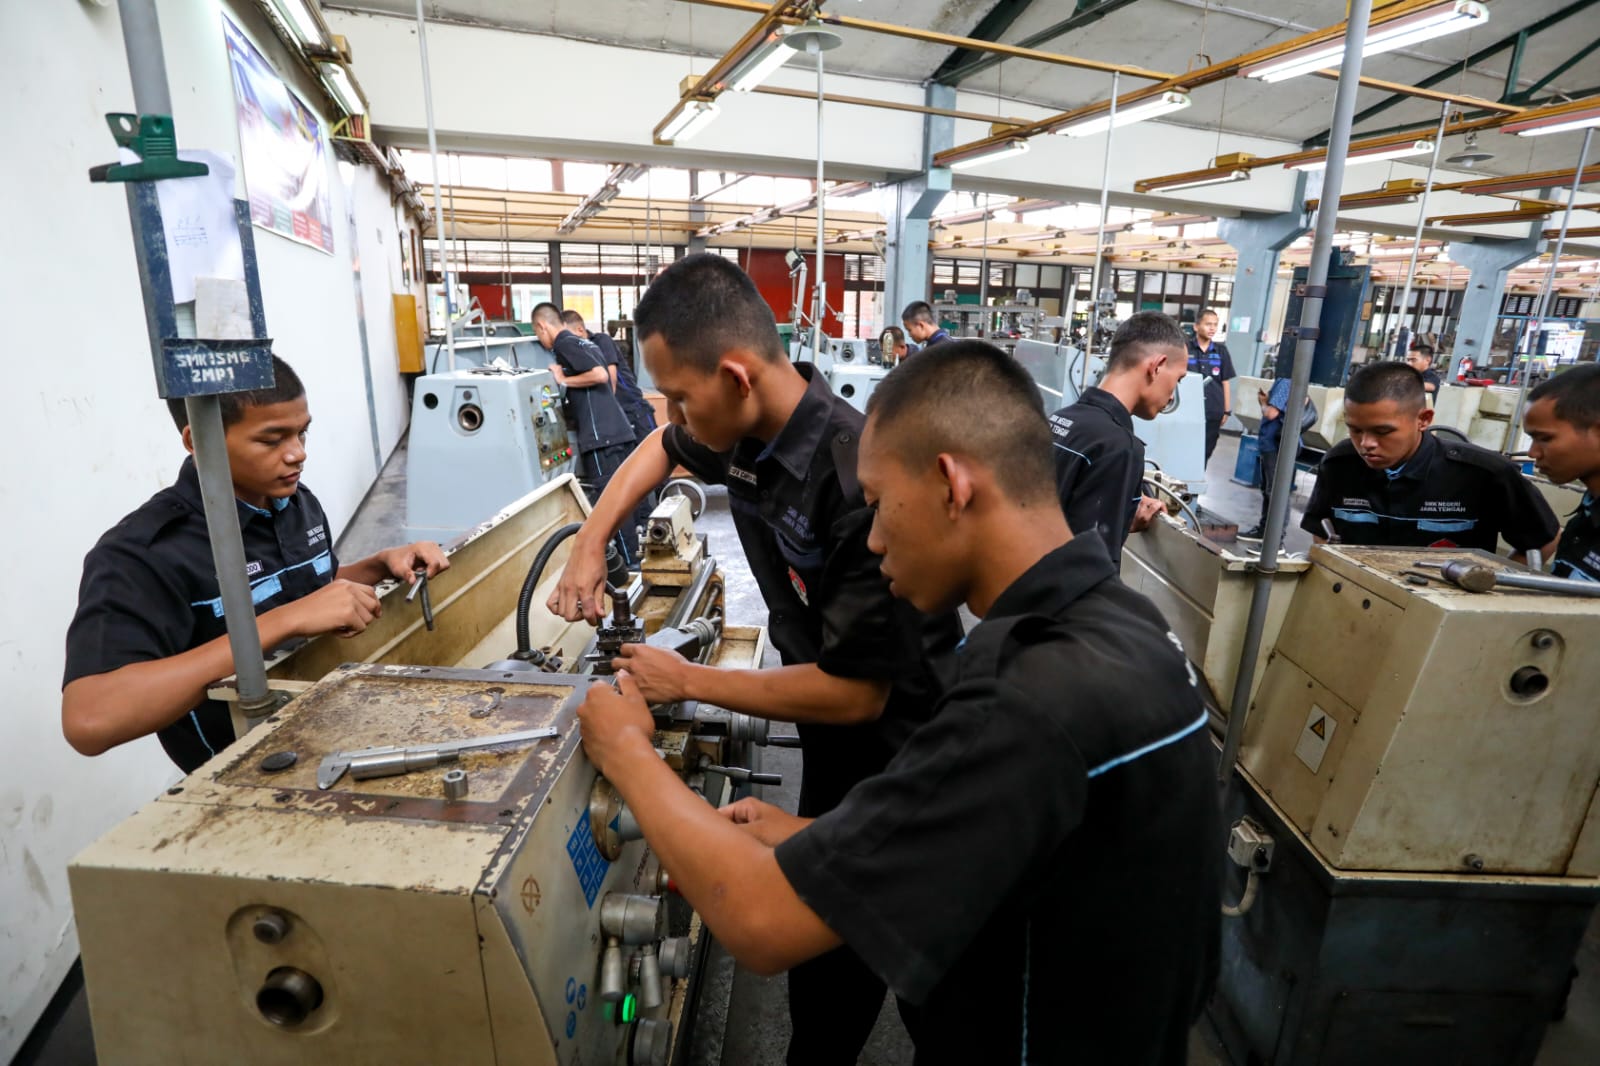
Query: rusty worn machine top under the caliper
{"type": "Point", "coordinates": [367, 707]}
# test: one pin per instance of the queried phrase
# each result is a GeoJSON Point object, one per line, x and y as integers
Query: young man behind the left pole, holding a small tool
{"type": "Point", "coordinates": [150, 635]}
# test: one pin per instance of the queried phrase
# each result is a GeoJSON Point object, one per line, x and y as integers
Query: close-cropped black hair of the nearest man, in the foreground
{"type": "Point", "coordinates": [969, 399]}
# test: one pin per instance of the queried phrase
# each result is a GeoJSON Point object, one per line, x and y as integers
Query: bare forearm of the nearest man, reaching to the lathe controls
{"type": "Point", "coordinates": [730, 878]}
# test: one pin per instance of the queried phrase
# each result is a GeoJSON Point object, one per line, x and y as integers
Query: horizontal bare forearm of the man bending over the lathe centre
{"type": "Point", "coordinates": [790, 694]}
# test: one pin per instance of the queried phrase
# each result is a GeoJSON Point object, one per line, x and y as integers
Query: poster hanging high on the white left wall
{"type": "Point", "coordinates": [281, 150]}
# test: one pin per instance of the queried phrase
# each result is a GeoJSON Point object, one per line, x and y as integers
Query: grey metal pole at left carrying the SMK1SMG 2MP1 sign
{"type": "Point", "coordinates": [142, 34]}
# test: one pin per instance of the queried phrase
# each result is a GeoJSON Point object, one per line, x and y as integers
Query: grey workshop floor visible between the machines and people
{"type": "Point", "coordinates": [743, 1020]}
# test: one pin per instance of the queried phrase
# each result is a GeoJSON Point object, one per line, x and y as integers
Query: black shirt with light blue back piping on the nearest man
{"type": "Point", "coordinates": [1038, 872]}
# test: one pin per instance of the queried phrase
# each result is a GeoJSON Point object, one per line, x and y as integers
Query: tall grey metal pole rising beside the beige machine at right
{"type": "Point", "coordinates": [1300, 382]}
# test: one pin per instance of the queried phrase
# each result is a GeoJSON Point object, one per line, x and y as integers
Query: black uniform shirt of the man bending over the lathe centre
{"type": "Point", "coordinates": [804, 527]}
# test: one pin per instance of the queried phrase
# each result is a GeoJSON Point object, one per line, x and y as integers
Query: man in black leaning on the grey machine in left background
{"type": "Point", "coordinates": [604, 436]}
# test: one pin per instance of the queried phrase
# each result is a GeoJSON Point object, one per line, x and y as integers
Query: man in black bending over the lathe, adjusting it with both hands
{"type": "Point", "coordinates": [857, 673]}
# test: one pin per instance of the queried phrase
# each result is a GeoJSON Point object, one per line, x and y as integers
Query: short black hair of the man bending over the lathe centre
{"type": "Point", "coordinates": [703, 307]}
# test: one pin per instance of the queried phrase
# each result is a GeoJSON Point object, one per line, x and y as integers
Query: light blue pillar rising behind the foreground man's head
{"type": "Point", "coordinates": [908, 207]}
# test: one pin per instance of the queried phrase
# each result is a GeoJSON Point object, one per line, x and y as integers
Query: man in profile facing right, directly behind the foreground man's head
{"type": "Point", "coordinates": [1100, 462]}
